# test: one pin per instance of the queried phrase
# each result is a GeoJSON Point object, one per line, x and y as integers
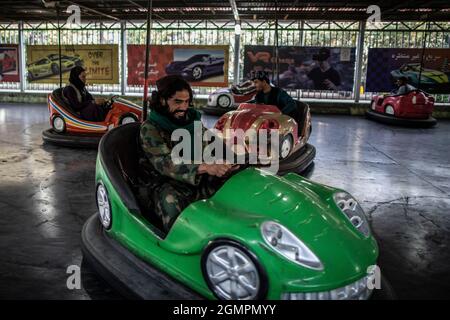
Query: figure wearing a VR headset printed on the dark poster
{"type": "Point", "coordinates": [324, 76]}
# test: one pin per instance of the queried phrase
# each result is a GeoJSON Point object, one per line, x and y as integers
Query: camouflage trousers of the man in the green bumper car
{"type": "Point", "coordinates": [170, 199]}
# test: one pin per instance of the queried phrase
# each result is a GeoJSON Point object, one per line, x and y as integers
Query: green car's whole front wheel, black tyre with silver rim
{"type": "Point", "coordinates": [232, 272]}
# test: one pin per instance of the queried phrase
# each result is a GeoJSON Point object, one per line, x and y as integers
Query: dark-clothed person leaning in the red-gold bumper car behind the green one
{"type": "Point", "coordinates": [268, 94]}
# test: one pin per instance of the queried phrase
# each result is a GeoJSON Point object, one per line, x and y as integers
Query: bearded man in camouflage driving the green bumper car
{"type": "Point", "coordinates": [178, 184]}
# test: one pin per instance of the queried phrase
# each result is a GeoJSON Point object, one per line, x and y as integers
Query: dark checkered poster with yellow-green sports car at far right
{"type": "Point", "coordinates": [430, 73]}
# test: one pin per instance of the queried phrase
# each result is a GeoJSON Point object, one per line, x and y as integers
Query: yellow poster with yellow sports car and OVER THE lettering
{"type": "Point", "coordinates": [101, 62]}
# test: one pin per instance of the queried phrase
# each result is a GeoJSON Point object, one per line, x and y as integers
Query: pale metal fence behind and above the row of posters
{"type": "Point", "coordinates": [290, 33]}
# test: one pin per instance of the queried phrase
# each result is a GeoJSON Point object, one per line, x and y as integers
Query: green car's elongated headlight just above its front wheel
{"type": "Point", "coordinates": [284, 242]}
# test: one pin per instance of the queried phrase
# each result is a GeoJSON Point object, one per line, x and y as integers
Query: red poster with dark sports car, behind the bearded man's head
{"type": "Point", "coordinates": [200, 65]}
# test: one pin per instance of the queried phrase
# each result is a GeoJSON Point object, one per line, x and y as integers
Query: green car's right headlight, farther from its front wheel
{"type": "Point", "coordinates": [353, 211]}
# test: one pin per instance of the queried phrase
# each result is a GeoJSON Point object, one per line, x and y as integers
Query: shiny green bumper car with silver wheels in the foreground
{"type": "Point", "coordinates": [260, 236]}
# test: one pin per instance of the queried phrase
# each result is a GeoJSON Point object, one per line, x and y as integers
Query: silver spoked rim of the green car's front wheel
{"type": "Point", "coordinates": [232, 274]}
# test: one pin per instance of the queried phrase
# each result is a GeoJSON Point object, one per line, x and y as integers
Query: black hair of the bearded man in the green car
{"type": "Point", "coordinates": [167, 87]}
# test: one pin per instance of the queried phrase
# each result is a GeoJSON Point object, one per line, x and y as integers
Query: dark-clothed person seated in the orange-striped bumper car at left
{"type": "Point", "coordinates": [76, 94]}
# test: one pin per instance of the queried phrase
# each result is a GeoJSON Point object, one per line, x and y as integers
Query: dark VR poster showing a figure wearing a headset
{"type": "Point", "coordinates": [314, 68]}
